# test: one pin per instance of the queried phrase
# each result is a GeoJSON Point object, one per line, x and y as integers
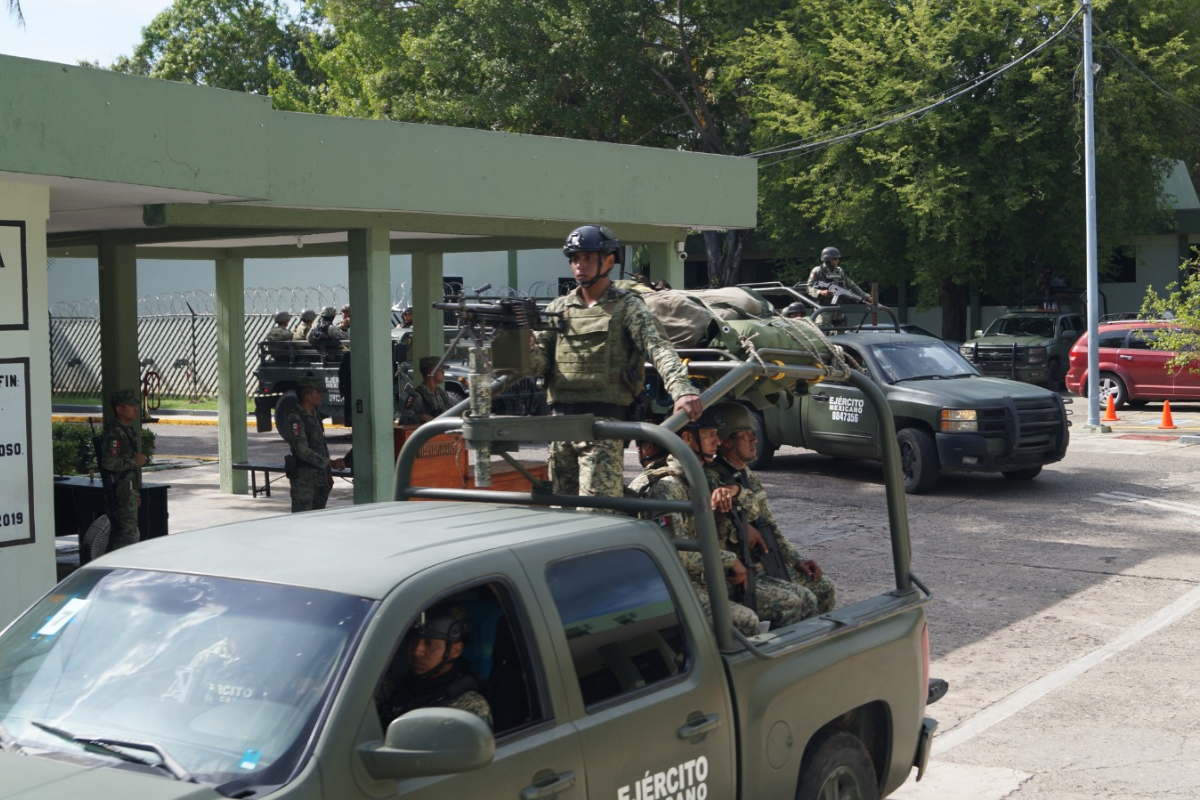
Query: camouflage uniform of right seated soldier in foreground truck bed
{"type": "Point", "coordinates": [817, 597]}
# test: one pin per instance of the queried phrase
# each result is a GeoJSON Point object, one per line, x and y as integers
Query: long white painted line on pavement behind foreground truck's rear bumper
{"type": "Point", "coordinates": [1033, 693]}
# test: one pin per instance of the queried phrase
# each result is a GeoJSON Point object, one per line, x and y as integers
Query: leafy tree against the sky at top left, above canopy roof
{"type": "Point", "coordinates": [241, 45]}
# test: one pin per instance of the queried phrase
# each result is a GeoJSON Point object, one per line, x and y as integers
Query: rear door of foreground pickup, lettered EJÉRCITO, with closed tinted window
{"type": "Point", "coordinates": [647, 687]}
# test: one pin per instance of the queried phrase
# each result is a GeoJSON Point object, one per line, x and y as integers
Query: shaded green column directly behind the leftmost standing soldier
{"type": "Point", "coordinates": [118, 321]}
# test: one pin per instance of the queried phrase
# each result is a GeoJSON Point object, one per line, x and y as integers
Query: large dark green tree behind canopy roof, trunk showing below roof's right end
{"type": "Point", "coordinates": [628, 71]}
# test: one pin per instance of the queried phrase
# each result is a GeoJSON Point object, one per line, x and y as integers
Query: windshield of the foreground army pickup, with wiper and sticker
{"type": "Point", "coordinates": [225, 677]}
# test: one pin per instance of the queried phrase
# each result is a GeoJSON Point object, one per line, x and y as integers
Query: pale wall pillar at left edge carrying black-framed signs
{"type": "Point", "coordinates": [27, 478]}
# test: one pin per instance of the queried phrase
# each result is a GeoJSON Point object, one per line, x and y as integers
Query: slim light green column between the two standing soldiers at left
{"type": "Point", "coordinates": [231, 372]}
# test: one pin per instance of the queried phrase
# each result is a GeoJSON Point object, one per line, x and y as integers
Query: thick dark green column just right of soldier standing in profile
{"type": "Point", "coordinates": [371, 384]}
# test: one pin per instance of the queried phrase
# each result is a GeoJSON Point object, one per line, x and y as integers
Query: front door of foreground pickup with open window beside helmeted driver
{"type": "Point", "coordinates": [538, 753]}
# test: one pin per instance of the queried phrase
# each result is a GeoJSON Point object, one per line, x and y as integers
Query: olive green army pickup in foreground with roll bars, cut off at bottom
{"type": "Point", "coordinates": [250, 660]}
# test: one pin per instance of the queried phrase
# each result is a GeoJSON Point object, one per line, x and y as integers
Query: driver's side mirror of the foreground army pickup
{"type": "Point", "coordinates": [430, 742]}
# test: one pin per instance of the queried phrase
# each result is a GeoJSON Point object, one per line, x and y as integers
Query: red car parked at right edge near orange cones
{"type": "Point", "coordinates": [1131, 370]}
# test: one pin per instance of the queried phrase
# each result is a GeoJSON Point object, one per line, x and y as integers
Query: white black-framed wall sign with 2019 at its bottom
{"type": "Point", "coordinates": [16, 464]}
